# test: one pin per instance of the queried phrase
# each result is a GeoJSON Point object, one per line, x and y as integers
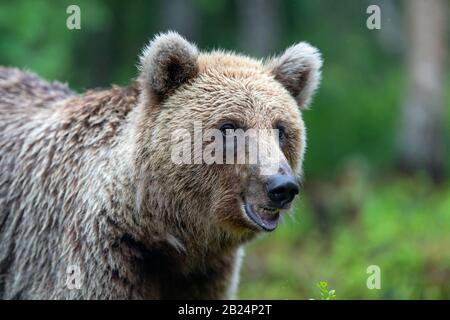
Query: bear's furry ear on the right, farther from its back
{"type": "Point", "coordinates": [298, 70]}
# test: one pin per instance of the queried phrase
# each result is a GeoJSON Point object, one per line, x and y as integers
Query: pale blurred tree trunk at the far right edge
{"type": "Point", "coordinates": [421, 135]}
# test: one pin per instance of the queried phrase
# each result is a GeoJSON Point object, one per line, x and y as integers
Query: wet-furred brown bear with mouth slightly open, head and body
{"type": "Point", "coordinates": [92, 205]}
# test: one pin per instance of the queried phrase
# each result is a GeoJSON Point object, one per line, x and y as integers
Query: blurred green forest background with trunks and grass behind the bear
{"type": "Point", "coordinates": [376, 190]}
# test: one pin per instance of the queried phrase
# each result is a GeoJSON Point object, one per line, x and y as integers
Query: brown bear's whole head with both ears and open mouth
{"type": "Point", "coordinates": [186, 91]}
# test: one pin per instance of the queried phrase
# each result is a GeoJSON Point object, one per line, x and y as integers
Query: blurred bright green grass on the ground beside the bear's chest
{"type": "Point", "coordinates": [400, 225]}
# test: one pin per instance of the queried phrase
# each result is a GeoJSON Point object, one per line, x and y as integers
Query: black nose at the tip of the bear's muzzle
{"type": "Point", "coordinates": [282, 189]}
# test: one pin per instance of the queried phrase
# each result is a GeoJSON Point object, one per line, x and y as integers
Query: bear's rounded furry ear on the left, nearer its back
{"type": "Point", "coordinates": [166, 63]}
